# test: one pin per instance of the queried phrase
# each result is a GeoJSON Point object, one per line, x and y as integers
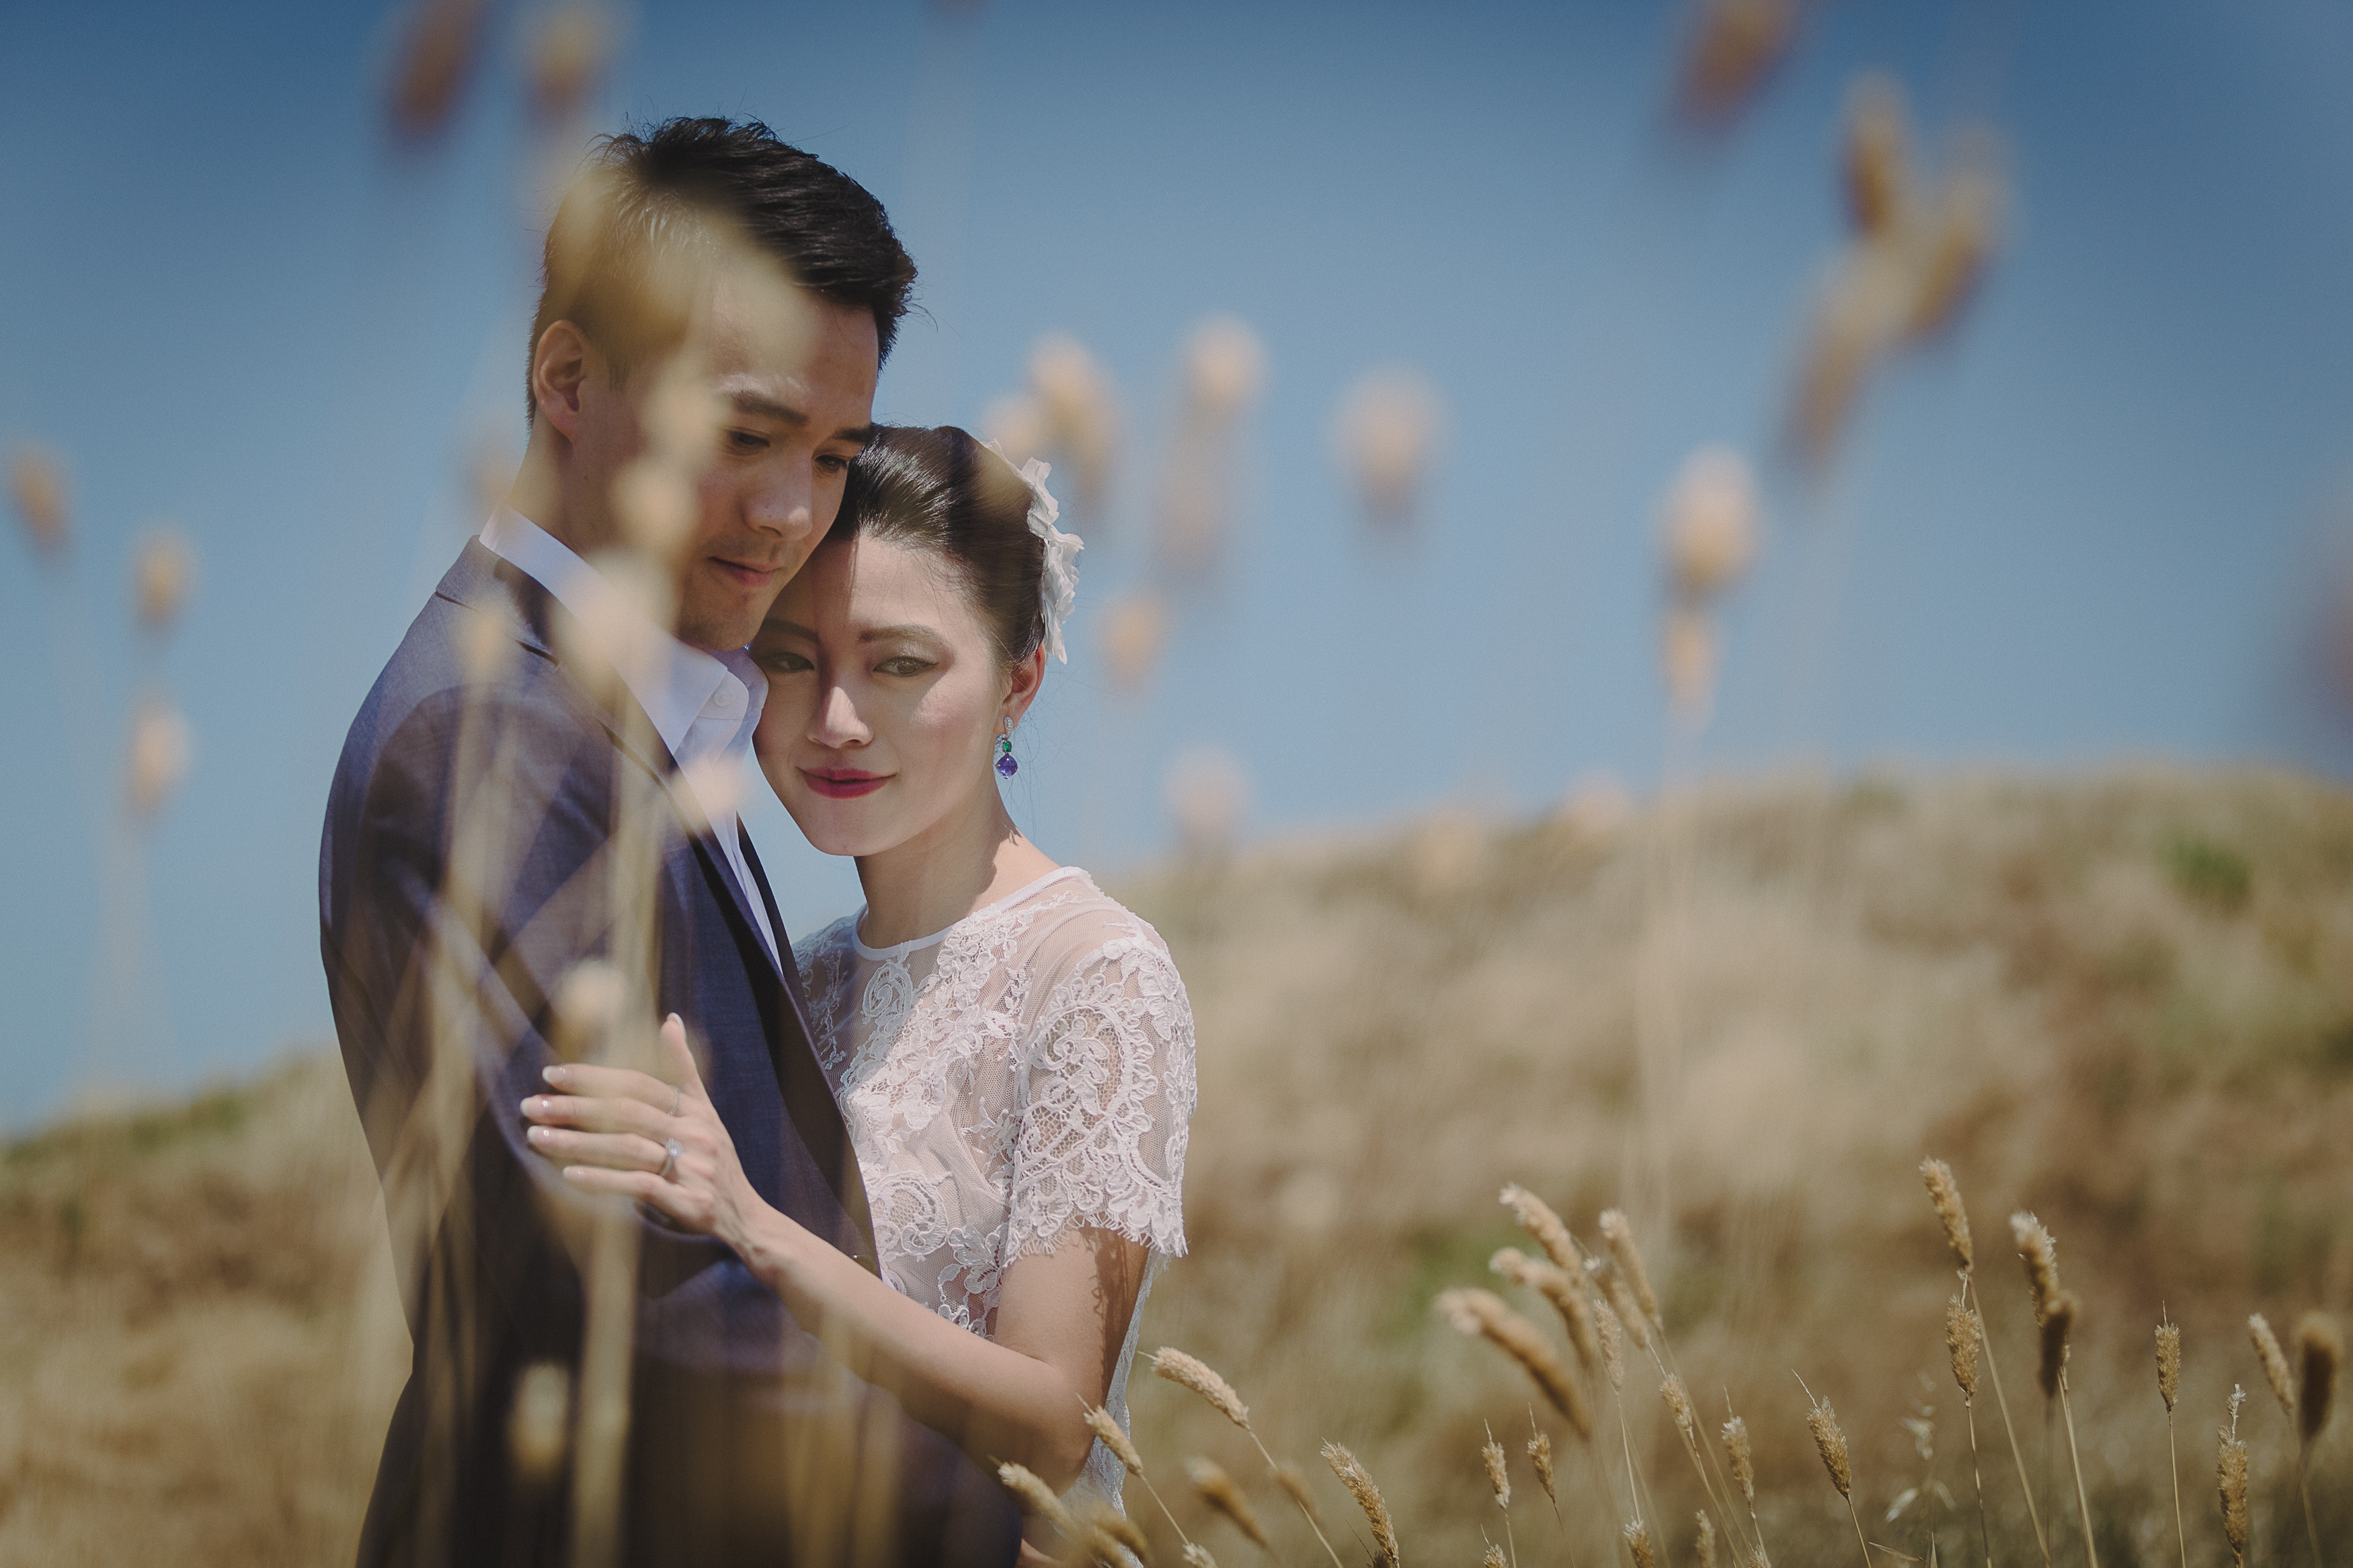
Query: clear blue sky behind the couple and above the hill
{"type": "Point", "coordinates": [2093, 525]}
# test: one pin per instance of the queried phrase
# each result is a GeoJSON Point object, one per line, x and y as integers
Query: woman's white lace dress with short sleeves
{"type": "Point", "coordinates": [1004, 1080]}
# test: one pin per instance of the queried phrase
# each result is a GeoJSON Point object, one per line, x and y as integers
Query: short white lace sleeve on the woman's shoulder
{"type": "Point", "coordinates": [1107, 1101]}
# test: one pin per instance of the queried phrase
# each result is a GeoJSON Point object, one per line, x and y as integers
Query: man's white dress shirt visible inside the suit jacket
{"type": "Point", "coordinates": [705, 706]}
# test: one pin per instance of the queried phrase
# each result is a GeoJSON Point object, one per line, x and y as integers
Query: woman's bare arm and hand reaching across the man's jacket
{"type": "Point", "coordinates": [1062, 1318]}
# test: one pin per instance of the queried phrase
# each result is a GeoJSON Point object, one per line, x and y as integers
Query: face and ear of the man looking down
{"type": "Point", "coordinates": [782, 401]}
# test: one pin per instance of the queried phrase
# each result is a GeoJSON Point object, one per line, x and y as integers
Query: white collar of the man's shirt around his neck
{"type": "Point", "coordinates": [676, 685]}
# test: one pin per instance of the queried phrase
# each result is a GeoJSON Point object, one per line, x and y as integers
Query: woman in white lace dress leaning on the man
{"type": "Point", "coordinates": [1013, 1052]}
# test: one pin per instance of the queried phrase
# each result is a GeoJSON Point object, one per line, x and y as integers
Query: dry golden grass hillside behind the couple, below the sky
{"type": "Point", "coordinates": [2121, 1000]}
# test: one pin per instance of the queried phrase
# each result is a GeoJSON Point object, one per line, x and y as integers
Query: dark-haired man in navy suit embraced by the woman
{"type": "Point", "coordinates": [533, 855]}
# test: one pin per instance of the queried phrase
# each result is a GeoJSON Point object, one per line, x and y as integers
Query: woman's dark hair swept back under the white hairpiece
{"type": "Point", "coordinates": [945, 492]}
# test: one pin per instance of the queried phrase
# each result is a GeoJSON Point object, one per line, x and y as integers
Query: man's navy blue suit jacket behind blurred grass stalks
{"type": "Point", "coordinates": [505, 812]}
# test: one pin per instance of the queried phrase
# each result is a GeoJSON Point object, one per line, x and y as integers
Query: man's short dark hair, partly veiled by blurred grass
{"type": "Point", "coordinates": [651, 199]}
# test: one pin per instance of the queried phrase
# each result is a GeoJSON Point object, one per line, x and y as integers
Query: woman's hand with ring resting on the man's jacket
{"type": "Point", "coordinates": [658, 1141]}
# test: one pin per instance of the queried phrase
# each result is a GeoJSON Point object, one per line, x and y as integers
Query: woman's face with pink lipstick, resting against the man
{"type": "Point", "coordinates": [884, 697]}
